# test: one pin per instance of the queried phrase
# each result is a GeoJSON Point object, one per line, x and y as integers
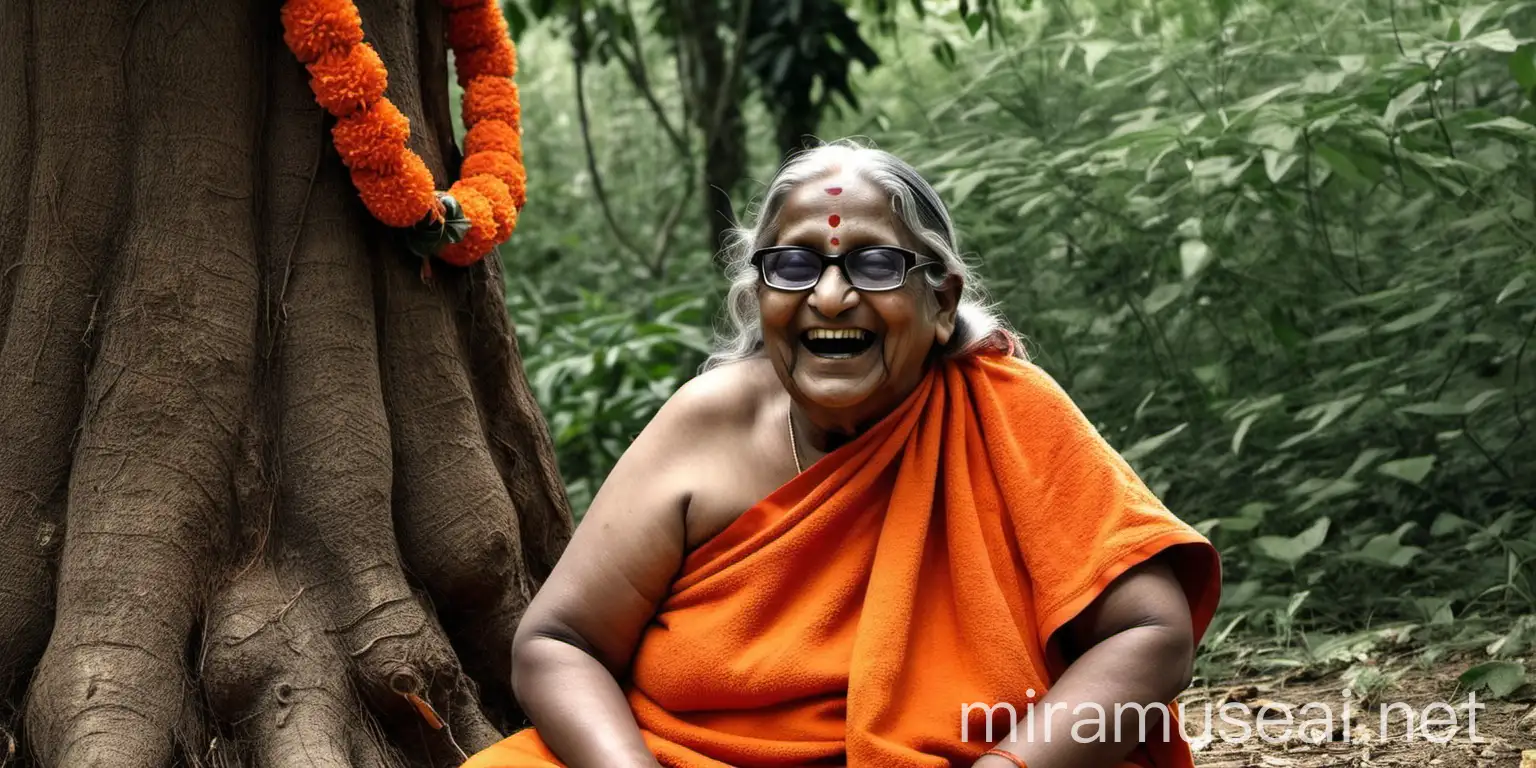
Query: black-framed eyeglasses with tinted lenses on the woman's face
{"type": "Point", "coordinates": [870, 268]}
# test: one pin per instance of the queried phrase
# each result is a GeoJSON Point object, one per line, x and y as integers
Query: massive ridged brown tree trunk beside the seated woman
{"type": "Point", "coordinates": [266, 497]}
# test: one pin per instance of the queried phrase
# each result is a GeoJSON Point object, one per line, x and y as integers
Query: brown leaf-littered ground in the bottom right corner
{"type": "Point", "coordinates": [1329, 726]}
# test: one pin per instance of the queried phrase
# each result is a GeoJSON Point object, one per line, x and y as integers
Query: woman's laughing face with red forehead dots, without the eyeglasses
{"type": "Point", "coordinates": [844, 385]}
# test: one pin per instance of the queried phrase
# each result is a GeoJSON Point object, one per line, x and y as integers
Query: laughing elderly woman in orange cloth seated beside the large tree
{"type": "Point", "coordinates": [870, 534]}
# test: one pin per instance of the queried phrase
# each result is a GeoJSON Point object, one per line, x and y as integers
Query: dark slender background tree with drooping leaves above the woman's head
{"type": "Point", "coordinates": [795, 56]}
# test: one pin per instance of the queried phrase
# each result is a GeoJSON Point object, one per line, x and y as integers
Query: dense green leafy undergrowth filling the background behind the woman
{"type": "Point", "coordinates": [1280, 253]}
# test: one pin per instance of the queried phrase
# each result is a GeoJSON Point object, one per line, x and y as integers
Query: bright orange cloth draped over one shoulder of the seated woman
{"type": "Point", "coordinates": [852, 617]}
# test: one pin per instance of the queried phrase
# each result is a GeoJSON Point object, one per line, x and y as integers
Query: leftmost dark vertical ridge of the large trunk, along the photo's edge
{"type": "Point", "coordinates": [50, 274]}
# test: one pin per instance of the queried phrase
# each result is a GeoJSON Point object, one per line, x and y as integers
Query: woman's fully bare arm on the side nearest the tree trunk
{"type": "Point", "coordinates": [581, 631]}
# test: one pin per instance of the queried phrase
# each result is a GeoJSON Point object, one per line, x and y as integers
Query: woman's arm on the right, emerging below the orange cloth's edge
{"type": "Point", "coordinates": [1137, 657]}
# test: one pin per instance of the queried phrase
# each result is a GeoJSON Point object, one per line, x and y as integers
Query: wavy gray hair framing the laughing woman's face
{"type": "Point", "coordinates": [916, 205]}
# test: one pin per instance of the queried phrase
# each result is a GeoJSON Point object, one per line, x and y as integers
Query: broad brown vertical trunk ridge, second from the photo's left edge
{"type": "Point", "coordinates": [164, 399]}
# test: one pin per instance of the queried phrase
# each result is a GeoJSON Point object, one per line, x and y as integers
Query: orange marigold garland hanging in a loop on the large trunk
{"type": "Point", "coordinates": [372, 136]}
